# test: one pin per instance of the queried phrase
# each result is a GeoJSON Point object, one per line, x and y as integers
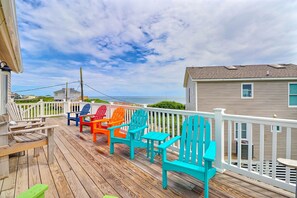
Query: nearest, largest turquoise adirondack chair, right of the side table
{"type": "Point", "coordinates": [195, 148]}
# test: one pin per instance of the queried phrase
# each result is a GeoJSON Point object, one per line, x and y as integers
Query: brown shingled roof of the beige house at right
{"type": "Point", "coordinates": [240, 72]}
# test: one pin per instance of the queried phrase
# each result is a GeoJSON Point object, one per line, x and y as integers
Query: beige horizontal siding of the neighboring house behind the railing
{"type": "Point", "coordinates": [270, 98]}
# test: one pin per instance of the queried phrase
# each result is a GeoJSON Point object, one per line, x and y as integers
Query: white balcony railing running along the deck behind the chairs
{"type": "Point", "coordinates": [253, 152]}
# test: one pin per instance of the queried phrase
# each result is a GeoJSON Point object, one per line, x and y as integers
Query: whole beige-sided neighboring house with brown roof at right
{"type": "Point", "coordinates": [254, 90]}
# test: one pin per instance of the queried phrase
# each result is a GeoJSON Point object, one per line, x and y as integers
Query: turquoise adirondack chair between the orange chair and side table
{"type": "Point", "coordinates": [135, 132]}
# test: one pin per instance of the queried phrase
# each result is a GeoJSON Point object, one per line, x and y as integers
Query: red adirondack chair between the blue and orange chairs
{"type": "Point", "coordinates": [83, 119]}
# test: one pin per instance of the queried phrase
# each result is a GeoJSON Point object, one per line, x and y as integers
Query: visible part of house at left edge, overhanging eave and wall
{"type": "Point", "coordinates": [10, 55]}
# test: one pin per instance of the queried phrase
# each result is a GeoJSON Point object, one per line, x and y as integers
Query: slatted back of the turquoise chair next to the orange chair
{"type": "Point", "coordinates": [139, 119]}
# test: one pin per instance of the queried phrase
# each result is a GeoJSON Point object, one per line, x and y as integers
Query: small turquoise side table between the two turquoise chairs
{"type": "Point", "coordinates": [151, 137]}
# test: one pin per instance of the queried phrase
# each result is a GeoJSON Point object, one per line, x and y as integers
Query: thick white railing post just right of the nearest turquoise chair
{"type": "Point", "coordinates": [219, 138]}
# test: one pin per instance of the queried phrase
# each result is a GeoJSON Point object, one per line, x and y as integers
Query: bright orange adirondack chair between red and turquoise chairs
{"type": "Point", "coordinates": [117, 118]}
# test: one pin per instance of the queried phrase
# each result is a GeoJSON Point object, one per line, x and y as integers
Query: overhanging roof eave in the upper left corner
{"type": "Point", "coordinates": [10, 44]}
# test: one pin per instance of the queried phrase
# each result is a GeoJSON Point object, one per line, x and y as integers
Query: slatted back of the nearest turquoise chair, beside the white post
{"type": "Point", "coordinates": [195, 140]}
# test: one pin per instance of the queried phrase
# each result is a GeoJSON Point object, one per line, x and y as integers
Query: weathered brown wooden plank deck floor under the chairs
{"type": "Point", "coordinates": [86, 169]}
